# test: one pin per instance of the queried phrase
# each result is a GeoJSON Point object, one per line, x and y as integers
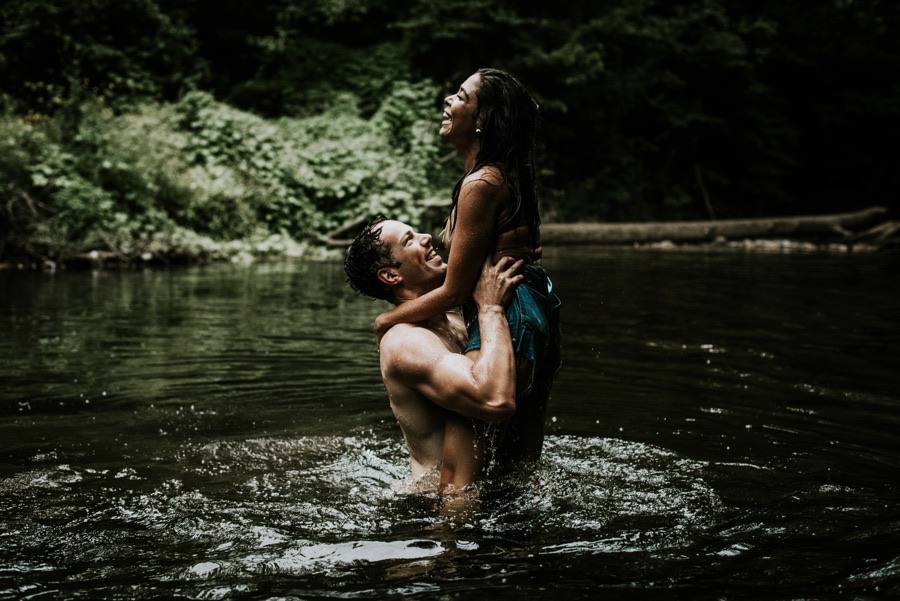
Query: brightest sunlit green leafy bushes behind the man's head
{"type": "Point", "coordinates": [309, 175]}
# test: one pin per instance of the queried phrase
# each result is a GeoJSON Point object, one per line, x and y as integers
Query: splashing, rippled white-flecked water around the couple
{"type": "Point", "coordinates": [317, 503]}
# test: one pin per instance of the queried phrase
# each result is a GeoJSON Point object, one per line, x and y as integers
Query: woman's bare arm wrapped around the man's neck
{"type": "Point", "coordinates": [473, 236]}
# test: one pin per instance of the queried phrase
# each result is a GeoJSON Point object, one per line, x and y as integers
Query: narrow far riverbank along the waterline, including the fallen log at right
{"type": "Point", "coordinates": [861, 231]}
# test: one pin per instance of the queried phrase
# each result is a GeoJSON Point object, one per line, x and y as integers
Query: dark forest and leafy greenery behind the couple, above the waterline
{"type": "Point", "coordinates": [153, 129]}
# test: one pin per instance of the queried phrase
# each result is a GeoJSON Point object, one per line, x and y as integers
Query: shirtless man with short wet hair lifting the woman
{"type": "Point", "coordinates": [436, 392]}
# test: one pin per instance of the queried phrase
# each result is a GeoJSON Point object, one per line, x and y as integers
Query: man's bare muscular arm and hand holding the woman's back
{"type": "Point", "coordinates": [480, 385]}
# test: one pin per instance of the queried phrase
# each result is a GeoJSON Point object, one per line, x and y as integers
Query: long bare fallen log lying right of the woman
{"type": "Point", "coordinates": [837, 227]}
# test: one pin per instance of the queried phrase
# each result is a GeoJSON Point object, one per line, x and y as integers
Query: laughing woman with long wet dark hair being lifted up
{"type": "Point", "coordinates": [491, 121]}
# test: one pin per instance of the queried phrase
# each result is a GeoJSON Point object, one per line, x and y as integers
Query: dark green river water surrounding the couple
{"type": "Point", "coordinates": [725, 426]}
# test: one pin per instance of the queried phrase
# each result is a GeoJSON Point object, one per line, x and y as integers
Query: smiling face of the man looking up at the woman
{"type": "Point", "coordinates": [421, 268]}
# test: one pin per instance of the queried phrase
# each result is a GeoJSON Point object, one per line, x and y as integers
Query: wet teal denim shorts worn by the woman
{"type": "Point", "coordinates": [533, 316]}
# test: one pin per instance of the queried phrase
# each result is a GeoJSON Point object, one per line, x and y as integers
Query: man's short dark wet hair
{"type": "Point", "coordinates": [366, 255]}
